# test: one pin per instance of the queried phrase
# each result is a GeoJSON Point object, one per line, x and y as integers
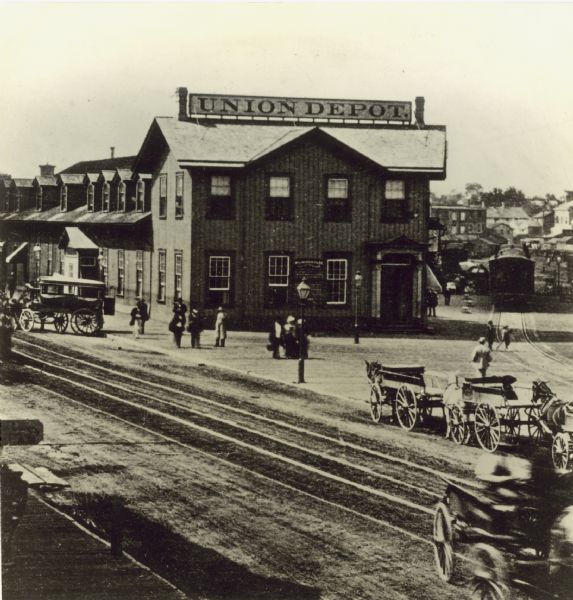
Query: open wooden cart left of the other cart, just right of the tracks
{"type": "Point", "coordinates": [409, 390]}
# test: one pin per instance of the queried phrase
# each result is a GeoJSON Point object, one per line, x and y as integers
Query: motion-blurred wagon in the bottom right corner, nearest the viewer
{"type": "Point", "coordinates": [512, 543]}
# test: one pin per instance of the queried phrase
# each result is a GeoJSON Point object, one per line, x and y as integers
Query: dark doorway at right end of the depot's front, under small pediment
{"type": "Point", "coordinates": [396, 289]}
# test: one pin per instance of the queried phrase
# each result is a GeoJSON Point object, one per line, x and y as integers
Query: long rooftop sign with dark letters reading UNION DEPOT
{"type": "Point", "coordinates": [296, 108]}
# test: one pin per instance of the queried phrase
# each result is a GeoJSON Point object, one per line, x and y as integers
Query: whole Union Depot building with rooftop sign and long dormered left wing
{"type": "Point", "coordinates": [235, 201]}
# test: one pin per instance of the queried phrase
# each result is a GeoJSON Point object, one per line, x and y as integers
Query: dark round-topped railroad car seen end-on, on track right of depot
{"type": "Point", "coordinates": [511, 276]}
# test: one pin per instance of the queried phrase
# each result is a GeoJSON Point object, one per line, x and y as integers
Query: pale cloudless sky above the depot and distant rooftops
{"type": "Point", "coordinates": [78, 78]}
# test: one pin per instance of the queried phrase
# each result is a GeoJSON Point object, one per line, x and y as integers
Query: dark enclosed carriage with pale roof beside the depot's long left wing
{"type": "Point", "coordinates": [63, 301]}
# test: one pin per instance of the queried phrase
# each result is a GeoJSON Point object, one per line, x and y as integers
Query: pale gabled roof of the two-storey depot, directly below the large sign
{"type": "Point", "coordinates": [397, 149]}
